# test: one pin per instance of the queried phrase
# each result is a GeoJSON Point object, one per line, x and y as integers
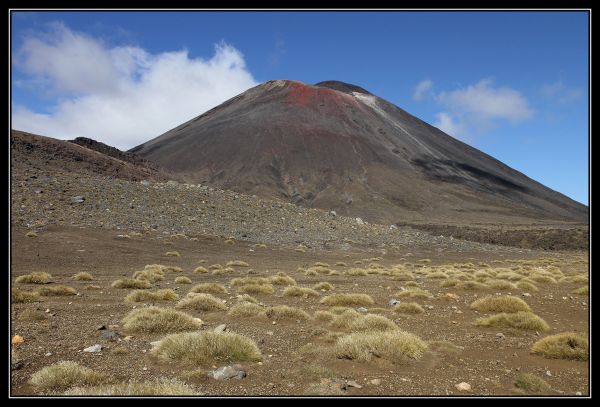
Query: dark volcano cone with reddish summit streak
{"type": "Point", "coordinates": [336, 146]}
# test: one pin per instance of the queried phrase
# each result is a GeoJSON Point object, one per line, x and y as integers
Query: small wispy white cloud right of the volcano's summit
{"type": "Point", "coordinates": [477, 108]}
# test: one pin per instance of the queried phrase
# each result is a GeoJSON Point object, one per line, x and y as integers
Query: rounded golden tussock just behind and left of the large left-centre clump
{"type": "Point", "coordinates": [159, 320]}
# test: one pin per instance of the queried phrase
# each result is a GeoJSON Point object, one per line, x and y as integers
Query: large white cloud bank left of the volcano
{"type": "Point", "coordinates": [122, 96]}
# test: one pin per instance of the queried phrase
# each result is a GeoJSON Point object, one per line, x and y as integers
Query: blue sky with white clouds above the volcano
{"type": "Point", "coordinates": [513, 84]}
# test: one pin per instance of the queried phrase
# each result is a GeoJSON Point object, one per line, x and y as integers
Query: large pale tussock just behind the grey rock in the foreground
{"type": "Point", "coordinates": [205, 348]}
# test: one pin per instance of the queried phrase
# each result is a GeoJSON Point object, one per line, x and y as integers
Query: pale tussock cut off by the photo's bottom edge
{"type": "Point", "coordinates": [157, 387]}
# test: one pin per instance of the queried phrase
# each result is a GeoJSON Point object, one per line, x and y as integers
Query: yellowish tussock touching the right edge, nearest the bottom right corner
{"type": "Point", "coordinates": [566, 345]}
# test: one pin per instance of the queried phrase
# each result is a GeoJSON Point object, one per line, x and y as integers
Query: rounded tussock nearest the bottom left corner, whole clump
{"type": "Point", "coordinates": [62, 375]}
